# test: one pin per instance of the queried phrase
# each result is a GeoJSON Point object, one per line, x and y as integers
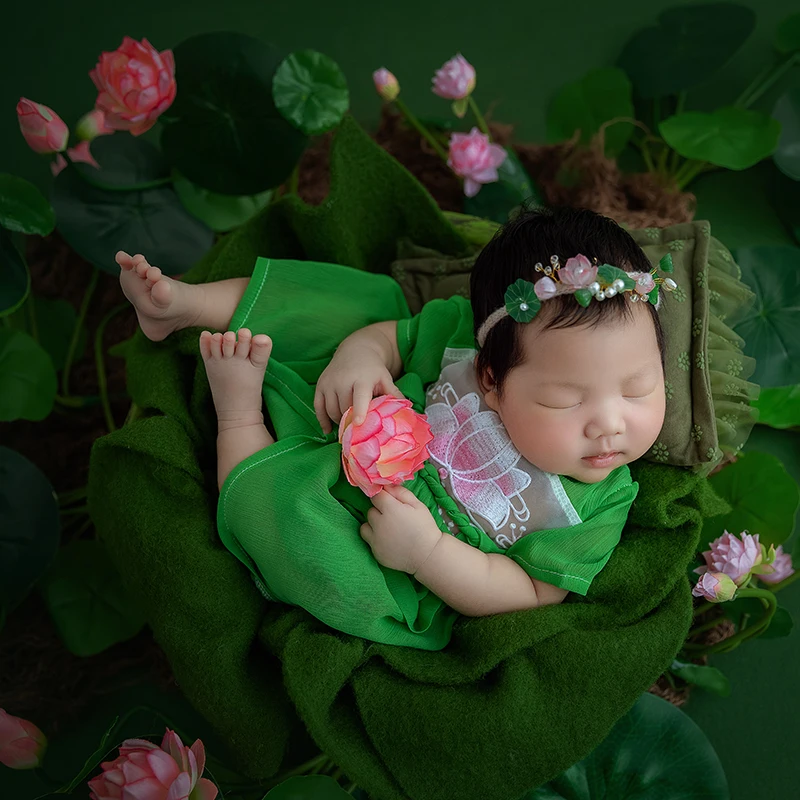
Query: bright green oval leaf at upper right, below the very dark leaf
{"type": "Point", "coordinates": [734, 138]}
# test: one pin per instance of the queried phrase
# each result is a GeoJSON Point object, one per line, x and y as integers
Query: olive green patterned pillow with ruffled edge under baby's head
{"type": "Point", "coordinates": [709, 414]}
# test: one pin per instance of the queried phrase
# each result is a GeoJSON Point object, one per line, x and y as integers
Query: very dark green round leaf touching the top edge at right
{"type": "Point", "coordinates": [687, 46]}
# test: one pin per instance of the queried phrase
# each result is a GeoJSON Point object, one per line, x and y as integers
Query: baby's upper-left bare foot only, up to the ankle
{"type": "Point", "coordinates": [162, 304]}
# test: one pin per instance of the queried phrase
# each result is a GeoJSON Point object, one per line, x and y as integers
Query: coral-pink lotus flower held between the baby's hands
{"type": "Point", "coordinates": [388, 448]}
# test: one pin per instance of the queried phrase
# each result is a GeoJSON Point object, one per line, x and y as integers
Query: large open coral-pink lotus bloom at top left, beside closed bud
{"type": "Point", "coordinates": [136, 85]}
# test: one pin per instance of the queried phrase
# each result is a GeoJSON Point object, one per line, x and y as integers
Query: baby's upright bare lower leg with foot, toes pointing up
{"type": "Point", "coordinates": [235, 372]}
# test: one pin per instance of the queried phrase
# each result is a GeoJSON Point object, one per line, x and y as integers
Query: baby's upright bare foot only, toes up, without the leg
{"type": "Point", "coordinates": [235, 372]}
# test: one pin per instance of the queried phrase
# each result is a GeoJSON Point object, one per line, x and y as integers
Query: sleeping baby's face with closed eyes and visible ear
{"type": "Point", "coordinates": [585, 400]}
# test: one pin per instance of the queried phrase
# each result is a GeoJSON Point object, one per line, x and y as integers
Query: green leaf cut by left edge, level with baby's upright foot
{"type": "Point", "coordinates": [27, 376]}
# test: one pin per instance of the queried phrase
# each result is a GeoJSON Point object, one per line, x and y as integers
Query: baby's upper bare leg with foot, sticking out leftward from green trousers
{"type": "Point", "coordinates": [164, 305]}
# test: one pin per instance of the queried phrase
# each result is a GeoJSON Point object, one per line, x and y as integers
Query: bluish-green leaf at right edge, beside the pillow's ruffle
{"type": "Point", "coordinates": [771, 325]}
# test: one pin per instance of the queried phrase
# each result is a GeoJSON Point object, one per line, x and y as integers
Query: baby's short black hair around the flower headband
{"type": "Point", "coordinates": [533, 236]}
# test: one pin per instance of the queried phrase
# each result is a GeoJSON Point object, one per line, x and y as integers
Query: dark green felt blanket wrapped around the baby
{"type": "Point", "coordinates": [511, 702]}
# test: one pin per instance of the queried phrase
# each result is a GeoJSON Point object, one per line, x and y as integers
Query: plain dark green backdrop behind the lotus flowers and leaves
{"type": "Point", "coordinates": [523, 52]}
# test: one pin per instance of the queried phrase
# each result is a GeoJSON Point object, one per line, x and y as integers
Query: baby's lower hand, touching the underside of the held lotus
{"type": "Point", "coordinates": [400, 530]}
